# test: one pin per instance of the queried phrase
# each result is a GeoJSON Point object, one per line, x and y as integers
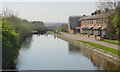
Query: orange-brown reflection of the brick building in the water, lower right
{"type": "Point", "coordinates": [99, 62]}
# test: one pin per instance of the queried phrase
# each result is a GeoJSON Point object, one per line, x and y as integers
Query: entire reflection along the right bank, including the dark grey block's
{"type": "Point", "coordinates": [99, 62]}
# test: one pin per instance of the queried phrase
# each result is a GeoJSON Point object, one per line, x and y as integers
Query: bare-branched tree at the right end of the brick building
{"type": "Point", "coordinates": [108, 11]}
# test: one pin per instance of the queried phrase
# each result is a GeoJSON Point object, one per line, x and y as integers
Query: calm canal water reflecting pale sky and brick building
{"type": "Point", "coordinates": [47, 52]}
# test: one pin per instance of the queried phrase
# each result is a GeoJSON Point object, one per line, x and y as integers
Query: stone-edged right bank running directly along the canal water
{"type": "Point", "coordinates": [107, 55]}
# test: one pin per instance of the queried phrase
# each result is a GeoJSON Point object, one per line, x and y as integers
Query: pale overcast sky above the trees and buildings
{"type": "Point", "coordinates": [50, 11]}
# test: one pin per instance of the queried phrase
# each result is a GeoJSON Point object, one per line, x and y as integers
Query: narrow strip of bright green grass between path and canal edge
{"type": "Point", "coordinates": [114, 51]}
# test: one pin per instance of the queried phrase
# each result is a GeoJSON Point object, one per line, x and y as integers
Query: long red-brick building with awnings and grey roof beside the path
{"type": "Point", "coordinates": [94, 26]}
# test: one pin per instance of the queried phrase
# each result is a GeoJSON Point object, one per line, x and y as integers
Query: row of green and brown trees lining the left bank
{"type": "Point", "coordinates": [14, 32]}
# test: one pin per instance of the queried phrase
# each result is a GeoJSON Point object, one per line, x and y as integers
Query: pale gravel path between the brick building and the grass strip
{"type": "Point", "coordinates": [91, 40]}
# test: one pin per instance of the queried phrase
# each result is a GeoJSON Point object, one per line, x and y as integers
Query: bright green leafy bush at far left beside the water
{"type": "Point", "coordinates": [10, 43]}
